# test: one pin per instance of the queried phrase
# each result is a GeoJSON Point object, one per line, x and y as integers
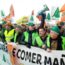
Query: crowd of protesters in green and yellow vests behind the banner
{"type": "Point", "coordinates": [52, 38]}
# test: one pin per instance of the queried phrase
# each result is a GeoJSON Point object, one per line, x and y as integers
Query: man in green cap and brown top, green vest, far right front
{"type": "Point", "coordinates": [54, 40]}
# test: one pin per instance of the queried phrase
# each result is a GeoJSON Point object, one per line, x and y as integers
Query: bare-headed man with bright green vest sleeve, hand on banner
{"type": "Point", "coordinates": [41, 38]}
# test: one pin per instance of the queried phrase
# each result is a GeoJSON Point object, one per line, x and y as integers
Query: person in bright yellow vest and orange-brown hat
{"type": "Point", "coordinates": [8, 33]}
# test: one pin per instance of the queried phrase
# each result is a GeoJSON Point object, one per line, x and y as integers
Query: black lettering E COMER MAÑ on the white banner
{"type": "Point", "coordinates": [37, 58]}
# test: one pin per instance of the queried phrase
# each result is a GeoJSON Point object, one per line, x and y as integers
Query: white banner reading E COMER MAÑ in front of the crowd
{"type": "Point", "coordinates": [37, 56]}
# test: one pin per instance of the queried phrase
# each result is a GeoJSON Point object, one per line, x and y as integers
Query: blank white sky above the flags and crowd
{"type": "Point", "coordinates": [24, 7]}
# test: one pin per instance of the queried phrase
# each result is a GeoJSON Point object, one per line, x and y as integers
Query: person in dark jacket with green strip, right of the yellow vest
{"type": "Point", "coordinates": [17, 34]}
